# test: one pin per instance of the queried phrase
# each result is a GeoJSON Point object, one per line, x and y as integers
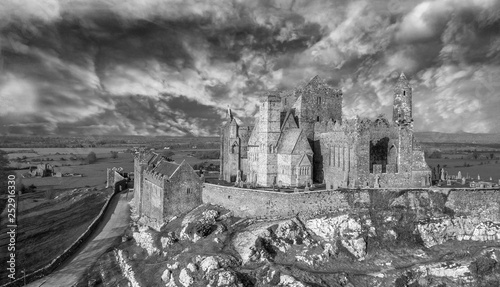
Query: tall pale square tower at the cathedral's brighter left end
{"type": "Point", "coordinates": [270, 120]}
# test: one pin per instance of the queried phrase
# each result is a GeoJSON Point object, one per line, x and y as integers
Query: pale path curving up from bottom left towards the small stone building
{"type": "Point", "coordinates": [109, 230]}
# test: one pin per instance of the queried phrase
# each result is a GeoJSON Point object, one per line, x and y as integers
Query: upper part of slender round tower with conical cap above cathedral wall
{"type": "Point", "coordinates": [402, 109]}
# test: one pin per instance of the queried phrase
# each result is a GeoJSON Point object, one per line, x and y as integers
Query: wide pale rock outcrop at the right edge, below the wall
{"type": "Point", "coordinates": [439, 230]}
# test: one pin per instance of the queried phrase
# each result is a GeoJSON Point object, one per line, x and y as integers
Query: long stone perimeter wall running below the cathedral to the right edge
{"type": "Point", "coordinates": [262, 204]}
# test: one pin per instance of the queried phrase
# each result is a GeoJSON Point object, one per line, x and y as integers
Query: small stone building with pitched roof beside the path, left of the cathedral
{"type": "Point", "coordinates": [164, 189]}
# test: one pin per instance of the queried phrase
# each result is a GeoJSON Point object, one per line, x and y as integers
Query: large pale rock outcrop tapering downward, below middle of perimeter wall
{"type": "Point", "coordinates": [344, 228]}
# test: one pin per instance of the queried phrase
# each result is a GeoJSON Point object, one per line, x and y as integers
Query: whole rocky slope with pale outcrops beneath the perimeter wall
{"type": "Point", "coordinates": [317, 251]}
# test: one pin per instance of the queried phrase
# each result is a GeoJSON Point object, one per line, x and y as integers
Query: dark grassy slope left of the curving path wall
{"type": "Point", "coordinates": [48, 223]}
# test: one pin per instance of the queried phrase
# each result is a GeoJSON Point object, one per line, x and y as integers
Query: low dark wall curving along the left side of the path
{"type": "Point", "coordinates": [52, 266]}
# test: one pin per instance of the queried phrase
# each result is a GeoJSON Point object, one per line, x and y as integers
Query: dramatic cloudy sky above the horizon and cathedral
{"type": "Point", "coordinates": [172, 67]}
